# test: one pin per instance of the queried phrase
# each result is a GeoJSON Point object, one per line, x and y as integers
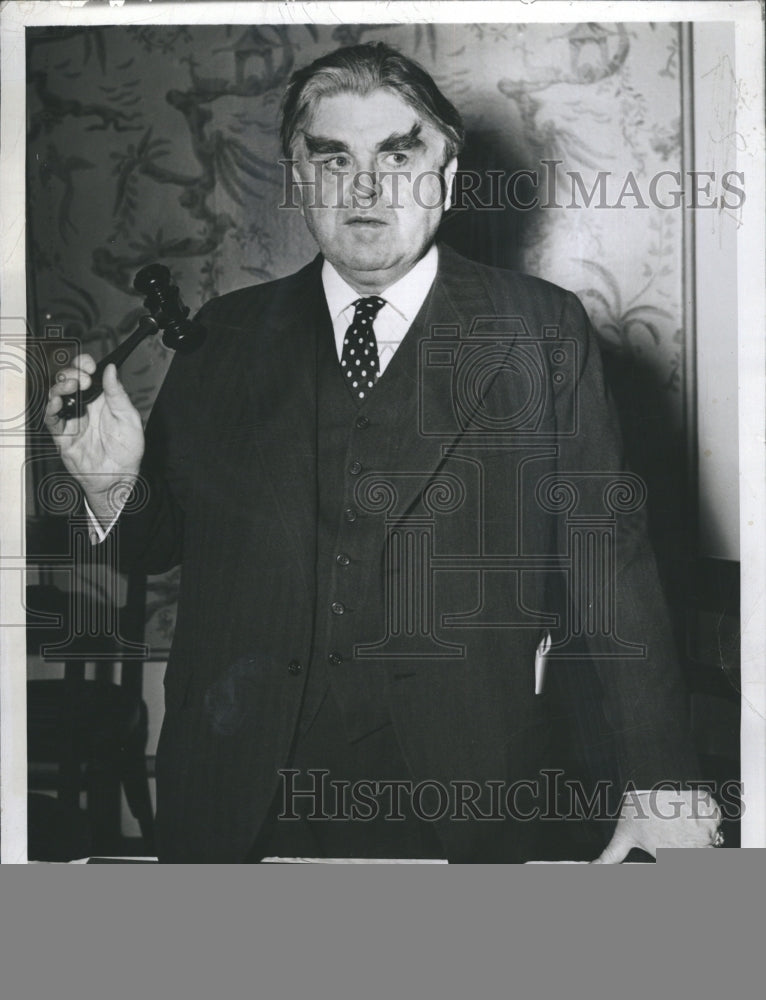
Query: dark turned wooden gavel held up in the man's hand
{"type": "Point", "coordinates": [167, 313]}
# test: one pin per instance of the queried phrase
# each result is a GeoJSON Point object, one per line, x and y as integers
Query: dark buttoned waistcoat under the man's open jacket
{"type": "Point", "coordinates": [355, 440]}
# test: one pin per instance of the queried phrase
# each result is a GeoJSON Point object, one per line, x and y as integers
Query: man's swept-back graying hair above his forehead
{"type": "Point", "coordinates": [361, 69]}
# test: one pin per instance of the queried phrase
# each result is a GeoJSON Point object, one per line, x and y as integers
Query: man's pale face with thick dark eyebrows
{"type": "Point", "coordinates": [375, 182]}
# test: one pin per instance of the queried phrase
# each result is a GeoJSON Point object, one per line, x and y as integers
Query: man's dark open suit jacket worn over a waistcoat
{"type": "Point", "coordinates": [505, 450]}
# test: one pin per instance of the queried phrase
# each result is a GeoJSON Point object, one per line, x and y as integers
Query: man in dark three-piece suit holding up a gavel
{"type": "Point", "coordinates": [395, 488]}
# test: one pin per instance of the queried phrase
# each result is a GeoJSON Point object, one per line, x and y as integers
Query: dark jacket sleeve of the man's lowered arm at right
{"type": "Point", "coordinates": [643, 696]}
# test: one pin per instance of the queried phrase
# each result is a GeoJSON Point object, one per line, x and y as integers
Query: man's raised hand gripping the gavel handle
{"type": "Point", "coordinates": [102, 448]}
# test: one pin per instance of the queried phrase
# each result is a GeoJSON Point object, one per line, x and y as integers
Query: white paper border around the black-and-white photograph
{"type": "Point", "coordinates": [751, 298]}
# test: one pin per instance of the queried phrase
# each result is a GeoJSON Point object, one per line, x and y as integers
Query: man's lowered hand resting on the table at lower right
{"type": "Point", "coordinates": [663, 818]}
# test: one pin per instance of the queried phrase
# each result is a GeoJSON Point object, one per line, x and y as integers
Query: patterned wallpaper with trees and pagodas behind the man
{"type": "Point", "coordinates": [160, 143]}
